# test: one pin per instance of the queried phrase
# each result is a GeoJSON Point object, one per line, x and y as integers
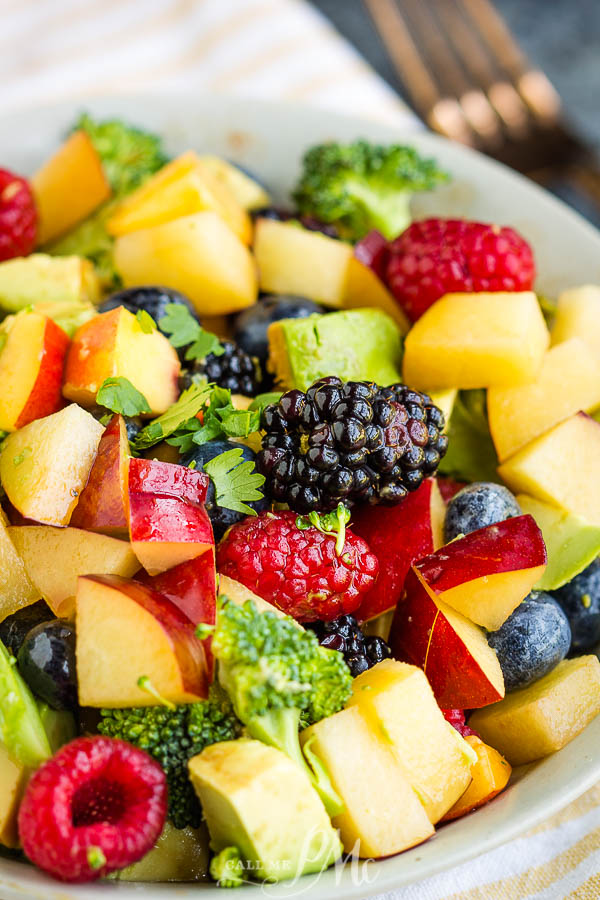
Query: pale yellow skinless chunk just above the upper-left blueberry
{"type": "Point", "coordinates": [197, 255]}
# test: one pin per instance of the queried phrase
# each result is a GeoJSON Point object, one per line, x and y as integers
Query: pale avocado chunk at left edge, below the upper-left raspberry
{"type": "Point", "coordinates": [40, 278]}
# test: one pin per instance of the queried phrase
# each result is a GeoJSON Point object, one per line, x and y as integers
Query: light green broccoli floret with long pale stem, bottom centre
{"type": "Point", "coordinates": [280, 679]}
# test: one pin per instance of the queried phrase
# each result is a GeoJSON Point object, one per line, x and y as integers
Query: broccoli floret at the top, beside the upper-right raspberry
{"type": "Point", "coordinates": [363, 186]}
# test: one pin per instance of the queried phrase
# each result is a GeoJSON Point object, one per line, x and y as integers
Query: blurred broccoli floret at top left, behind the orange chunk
{"type": "Point", "coordinates": [129, 155]}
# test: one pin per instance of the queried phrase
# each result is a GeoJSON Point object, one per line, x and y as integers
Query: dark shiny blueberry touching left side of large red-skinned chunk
{"type": "Point", "coordinates": [46, 661]}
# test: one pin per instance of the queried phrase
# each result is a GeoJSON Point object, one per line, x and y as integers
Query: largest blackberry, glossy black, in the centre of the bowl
{"type": "Point", "coordinates": [352, 441]}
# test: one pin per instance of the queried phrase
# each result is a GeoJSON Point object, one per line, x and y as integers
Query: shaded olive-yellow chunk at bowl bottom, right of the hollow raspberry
{"type": "Point", "coordinates": [178, 855]}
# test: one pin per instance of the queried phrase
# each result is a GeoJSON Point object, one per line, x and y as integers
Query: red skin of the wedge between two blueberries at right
{"type": "Point", "coordinates": [507, 546]}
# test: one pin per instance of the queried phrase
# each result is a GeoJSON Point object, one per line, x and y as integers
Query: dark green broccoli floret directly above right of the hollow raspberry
{"type": "Point", "coordinates": [172, 736]}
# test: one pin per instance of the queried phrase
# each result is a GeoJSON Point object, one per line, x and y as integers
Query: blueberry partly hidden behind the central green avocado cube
{"type": "Point", "coordinates": [250, 327]}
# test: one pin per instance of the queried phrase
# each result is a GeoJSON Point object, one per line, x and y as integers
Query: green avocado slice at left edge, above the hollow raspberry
{"type": "Point", "coordinates": [21, 728]}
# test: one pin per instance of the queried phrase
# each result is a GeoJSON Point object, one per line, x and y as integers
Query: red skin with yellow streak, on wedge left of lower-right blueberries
{"type": "Point", "coordinates": [422, 635]}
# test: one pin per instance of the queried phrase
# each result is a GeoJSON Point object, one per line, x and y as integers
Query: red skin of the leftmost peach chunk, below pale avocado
{"type": "Point", "coordinates": [46, 397]}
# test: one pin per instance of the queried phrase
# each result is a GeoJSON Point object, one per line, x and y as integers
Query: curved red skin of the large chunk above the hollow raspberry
{"type": "Point", "coordinates": [188, 650]}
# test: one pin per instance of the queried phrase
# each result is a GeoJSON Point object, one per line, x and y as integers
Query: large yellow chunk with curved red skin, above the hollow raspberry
{"type": "Point", "coordinates": [126, 631]}
